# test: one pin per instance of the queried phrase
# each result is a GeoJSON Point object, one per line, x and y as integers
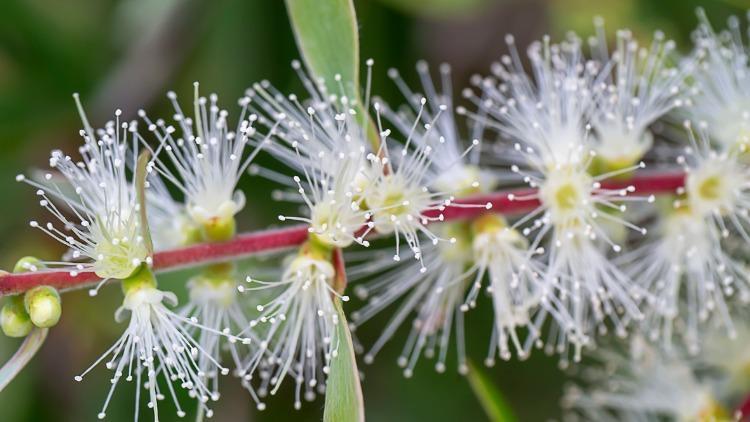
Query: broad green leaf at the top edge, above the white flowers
{"type": "Point", "coordinates": [327, 37]}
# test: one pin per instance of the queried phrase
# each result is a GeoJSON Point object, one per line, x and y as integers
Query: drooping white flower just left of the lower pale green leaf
{"type": "Point", "coordinates": [297, 328]}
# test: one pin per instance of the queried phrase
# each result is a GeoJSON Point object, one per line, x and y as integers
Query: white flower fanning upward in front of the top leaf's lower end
{"type": "Point", "coordinates": [324, 141]}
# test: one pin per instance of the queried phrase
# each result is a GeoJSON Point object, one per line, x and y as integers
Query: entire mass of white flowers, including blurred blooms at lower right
{"type": "Point", "coordinates": [592, 254]}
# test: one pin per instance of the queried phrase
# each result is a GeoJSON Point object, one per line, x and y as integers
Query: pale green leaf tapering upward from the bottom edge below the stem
{"type": "Point", "coordinates": [344, 402]}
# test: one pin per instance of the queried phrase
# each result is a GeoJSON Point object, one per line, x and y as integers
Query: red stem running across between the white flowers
{"type": "Point", "coordinates": [269, 240]}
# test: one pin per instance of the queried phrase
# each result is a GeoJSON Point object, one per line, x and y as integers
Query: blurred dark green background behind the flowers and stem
{"type": "Point", "coordinates": [127, 54]}
